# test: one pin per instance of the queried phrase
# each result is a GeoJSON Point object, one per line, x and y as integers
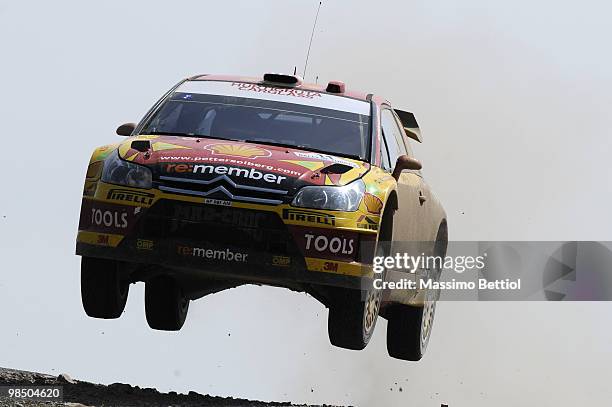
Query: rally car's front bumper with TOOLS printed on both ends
{"type": "Point", "coordinates": [244, 242]}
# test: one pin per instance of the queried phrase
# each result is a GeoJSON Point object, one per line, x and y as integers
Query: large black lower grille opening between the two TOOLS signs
{"type": "Point", "coordinates": [222, 226]}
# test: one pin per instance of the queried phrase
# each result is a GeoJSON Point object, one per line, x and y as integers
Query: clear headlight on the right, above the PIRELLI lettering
{"type": "Point", "coordinates": [346, 198]}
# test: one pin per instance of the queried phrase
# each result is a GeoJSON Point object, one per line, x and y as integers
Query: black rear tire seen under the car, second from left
{"type": "Point", "coordinates": [165, 305]}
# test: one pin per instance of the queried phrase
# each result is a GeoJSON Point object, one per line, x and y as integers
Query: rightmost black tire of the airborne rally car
{"type": "Point", "coordinates": [407, 337]}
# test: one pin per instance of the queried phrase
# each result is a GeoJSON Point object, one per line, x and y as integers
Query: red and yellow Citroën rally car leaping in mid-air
{"type": "Point", "coordinates": [230, 180]}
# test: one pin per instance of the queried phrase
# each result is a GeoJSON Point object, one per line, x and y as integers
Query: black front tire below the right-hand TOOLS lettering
{"type": "Point", "coordinates": [348, 324]}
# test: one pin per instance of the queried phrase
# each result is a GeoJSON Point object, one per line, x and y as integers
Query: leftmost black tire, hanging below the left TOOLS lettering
{"type": "Point", "coordinates": [103, 292]}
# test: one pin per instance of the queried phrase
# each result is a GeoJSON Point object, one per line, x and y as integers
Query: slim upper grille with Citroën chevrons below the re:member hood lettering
{"type": "Point", "coordinates": [221, 187]}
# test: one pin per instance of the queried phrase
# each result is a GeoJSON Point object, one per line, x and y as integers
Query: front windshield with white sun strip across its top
{"type": "Point", "coordinates": [289, 117]}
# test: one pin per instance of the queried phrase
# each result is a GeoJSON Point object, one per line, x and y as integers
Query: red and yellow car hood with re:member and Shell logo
{"type": "Point", "coordinates": [206, 161]}
